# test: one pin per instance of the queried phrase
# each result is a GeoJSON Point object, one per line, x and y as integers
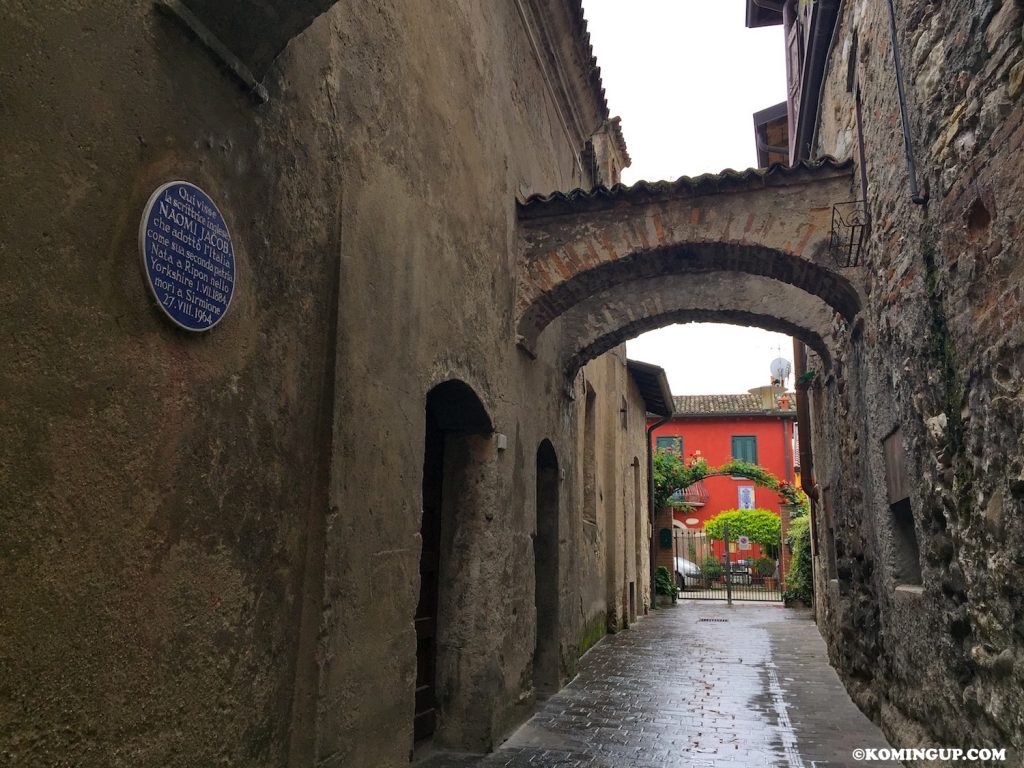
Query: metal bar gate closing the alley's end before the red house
{"type": "Point", "coordinates": [712, 570]}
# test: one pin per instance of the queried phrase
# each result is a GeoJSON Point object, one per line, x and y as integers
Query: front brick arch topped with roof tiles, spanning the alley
{"type": "Point", "coordinates": [774, 225]}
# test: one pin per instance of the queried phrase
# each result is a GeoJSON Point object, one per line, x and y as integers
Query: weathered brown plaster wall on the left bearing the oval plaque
{"type": "Point", "coordinates": [210, 544]}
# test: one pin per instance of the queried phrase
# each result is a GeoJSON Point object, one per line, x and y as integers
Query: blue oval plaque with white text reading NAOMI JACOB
{"type": "Point", "coordinates": [188, 257]}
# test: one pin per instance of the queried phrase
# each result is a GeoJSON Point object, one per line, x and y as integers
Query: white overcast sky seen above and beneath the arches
{"type": "Point", "coordinates": [687, 77]}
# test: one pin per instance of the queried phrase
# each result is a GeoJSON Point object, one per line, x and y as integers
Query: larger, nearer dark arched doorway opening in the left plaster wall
{"type": "Point", "coordinates": [456, 447]}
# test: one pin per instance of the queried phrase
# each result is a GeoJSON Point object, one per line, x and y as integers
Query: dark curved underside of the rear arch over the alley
{"type": "Point", "coordinates": [603, 345]}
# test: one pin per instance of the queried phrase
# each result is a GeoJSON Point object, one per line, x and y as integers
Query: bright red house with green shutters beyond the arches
{"type": "Point", "coordinates": [757, 428]}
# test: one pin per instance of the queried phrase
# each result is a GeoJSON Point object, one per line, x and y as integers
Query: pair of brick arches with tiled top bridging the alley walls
{"type": "Point", "coordinates": [750, 247]}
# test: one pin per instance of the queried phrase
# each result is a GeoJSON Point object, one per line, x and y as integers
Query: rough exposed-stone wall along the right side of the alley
{"type": "Point", "coordinates": [938, 356]}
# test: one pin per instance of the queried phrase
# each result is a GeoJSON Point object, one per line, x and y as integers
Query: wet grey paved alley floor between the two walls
{"type": "Point", "coordinates": [700, 686]}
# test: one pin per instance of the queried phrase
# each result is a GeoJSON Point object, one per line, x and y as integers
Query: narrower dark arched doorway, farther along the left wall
{"type": "Point", "coordinates": [546, 653]}
